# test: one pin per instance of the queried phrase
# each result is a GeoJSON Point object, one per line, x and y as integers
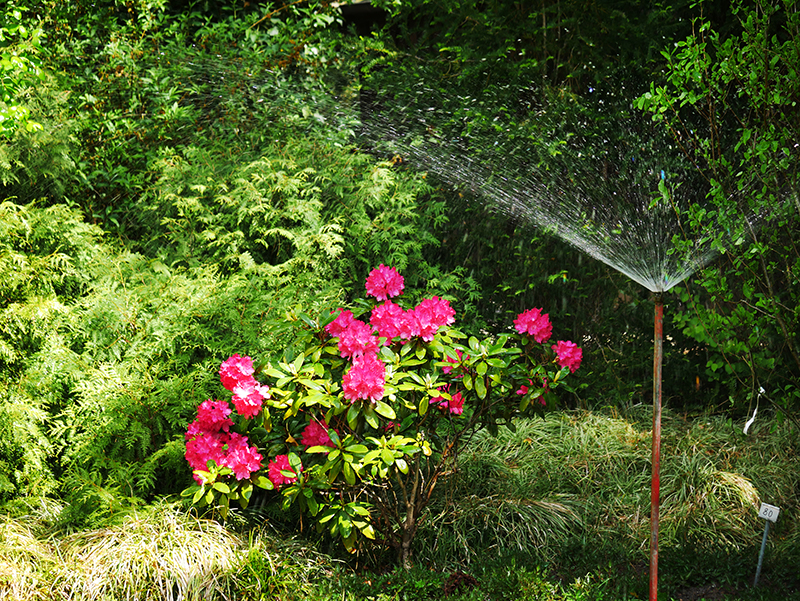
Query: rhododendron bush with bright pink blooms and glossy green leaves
{"type": "Point", "coordinates": [363, 414]}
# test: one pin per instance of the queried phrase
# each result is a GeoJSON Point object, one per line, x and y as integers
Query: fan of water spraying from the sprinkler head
{"type": "Point", "coordinates": [619, 201]}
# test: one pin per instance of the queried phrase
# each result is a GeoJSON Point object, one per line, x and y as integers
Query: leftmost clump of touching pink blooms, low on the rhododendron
{"type": "Point", "coordinates": [209, 438]}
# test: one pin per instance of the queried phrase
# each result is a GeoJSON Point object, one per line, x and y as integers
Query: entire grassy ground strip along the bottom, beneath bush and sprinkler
{"type": "Point", "coordinates": [558, 510]}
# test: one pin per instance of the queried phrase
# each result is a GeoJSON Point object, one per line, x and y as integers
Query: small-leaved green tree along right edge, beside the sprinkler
{"type": "Point", "coordinates": [731, 102]}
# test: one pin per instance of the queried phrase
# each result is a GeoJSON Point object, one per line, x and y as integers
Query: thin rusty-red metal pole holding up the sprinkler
{"type": "Point", "coordinates": [656, 447]}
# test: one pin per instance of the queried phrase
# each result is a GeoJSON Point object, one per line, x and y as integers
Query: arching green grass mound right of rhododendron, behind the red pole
{"type": "Point", "coordinates": [585, 476]}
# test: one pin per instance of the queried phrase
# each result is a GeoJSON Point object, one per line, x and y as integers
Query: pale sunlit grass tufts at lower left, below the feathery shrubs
{"type": "Point", "coordinates": [156, 553]}
